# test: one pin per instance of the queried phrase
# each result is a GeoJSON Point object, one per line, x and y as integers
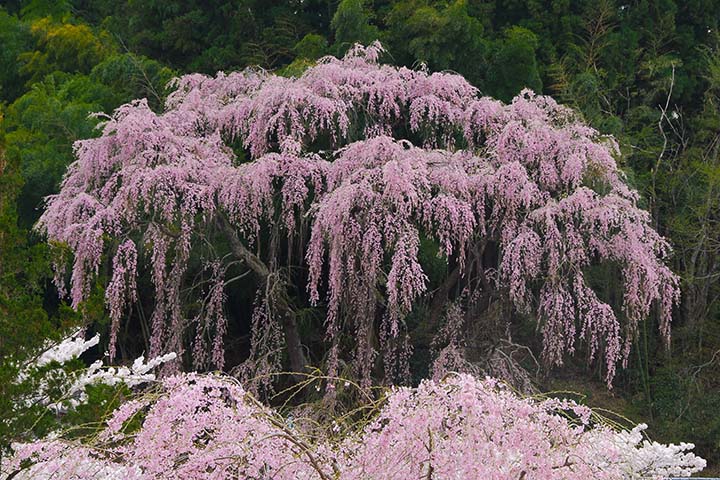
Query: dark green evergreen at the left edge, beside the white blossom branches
{"type": "Point", "coordinates": [25, 323]}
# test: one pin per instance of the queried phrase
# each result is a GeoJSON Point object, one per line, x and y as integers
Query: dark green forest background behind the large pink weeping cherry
{"type": "Point", "coordinates": [647, 72]}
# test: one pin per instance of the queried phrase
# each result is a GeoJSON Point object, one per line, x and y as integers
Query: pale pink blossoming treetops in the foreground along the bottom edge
{"type": "Point", "coordinates": [207, 427]}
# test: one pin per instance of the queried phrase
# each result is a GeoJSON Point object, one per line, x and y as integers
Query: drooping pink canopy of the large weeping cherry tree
{"type": "Point", "coordinates": [371, 159]}
